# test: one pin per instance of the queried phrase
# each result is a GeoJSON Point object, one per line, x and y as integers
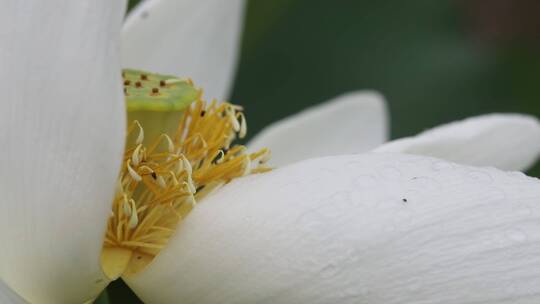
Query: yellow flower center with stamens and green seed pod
{"type": "Point", "coordinates": [163, 178]}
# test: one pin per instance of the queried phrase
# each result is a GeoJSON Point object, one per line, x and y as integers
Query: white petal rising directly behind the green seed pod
{"type": "Point", "coordinates": [198, 39]}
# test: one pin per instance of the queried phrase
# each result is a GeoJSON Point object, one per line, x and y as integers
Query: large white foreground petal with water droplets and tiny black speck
{"type": "Point", "coordinates": [376, 228]}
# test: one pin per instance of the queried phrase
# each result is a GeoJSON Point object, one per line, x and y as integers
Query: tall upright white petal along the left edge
{"type": "Point", "coordinates": [62, 130]}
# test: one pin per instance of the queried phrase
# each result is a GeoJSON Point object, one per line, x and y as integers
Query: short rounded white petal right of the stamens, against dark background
{"type": "Point", "coordinates": [350, 123]}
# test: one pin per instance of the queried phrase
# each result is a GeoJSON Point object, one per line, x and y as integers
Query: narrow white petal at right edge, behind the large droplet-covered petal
{"type": "Point", "coordinates": [506, 141]}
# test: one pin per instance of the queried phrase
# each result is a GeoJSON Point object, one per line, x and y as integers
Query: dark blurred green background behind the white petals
{"type": "Point", "coordinates": [435, 61]}
